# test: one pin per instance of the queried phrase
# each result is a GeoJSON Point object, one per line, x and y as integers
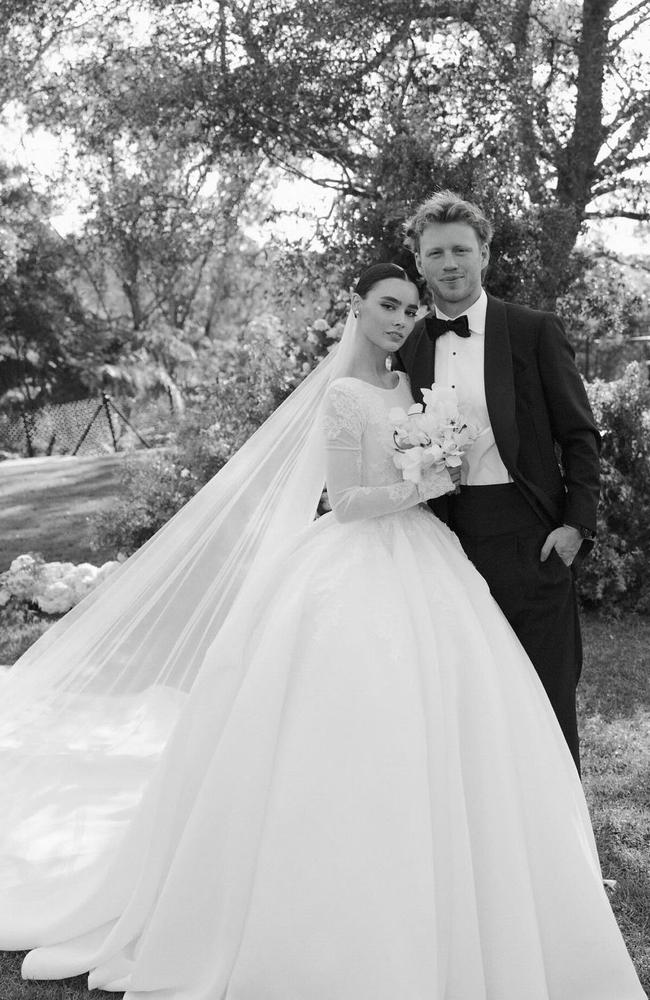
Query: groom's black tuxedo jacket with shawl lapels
{"type": "Point", "coordinates": [539, 411]}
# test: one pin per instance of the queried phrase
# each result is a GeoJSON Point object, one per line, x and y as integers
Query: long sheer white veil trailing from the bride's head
{"type": "Point", "coordinates": [86, 712]}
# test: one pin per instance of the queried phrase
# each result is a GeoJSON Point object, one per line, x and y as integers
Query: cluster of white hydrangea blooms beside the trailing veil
{"type": "Point", "coordinates": [53, 587]}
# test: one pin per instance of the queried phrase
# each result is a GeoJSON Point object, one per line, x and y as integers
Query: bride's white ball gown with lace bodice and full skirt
{"type": "Point", "coordinates": [366, 795]}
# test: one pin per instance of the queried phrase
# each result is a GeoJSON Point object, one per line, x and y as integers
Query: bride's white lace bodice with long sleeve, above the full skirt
{"type": "Point", "coordinates": [362, 479]}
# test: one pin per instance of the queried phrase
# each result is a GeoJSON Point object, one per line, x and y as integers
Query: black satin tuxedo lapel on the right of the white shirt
{"type": "Point", "coordinates": [500, 383]}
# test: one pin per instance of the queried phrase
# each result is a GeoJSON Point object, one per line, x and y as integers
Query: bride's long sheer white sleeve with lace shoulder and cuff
{"type": "Point", "coordinates": [344, 424]}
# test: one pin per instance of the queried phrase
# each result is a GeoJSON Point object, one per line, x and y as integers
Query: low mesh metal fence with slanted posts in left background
{"type": "Point", "coordinates": [83, 427]}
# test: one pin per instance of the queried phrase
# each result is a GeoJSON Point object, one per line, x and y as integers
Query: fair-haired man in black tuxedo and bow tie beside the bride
{"type": "Point", "coordinates": [527, 503]}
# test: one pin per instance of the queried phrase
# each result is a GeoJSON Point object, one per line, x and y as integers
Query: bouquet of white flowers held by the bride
{"type": "Point", "coordinates": [433, 434]}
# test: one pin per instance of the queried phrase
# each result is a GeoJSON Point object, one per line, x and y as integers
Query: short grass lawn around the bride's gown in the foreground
{"type": "Point", "coordinates": [615, 724]}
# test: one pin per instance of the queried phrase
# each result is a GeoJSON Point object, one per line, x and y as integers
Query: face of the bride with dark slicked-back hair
{"type": "Point", "coordinates": [387, 314]}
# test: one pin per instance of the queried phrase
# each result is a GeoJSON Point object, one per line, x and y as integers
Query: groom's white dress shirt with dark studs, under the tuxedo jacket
{"type": "Point", "coordinates": [460, 364]}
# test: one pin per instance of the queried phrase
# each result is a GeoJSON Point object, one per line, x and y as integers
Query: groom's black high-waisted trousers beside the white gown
{"type": "Point", "coordinates": [503, 537]}
